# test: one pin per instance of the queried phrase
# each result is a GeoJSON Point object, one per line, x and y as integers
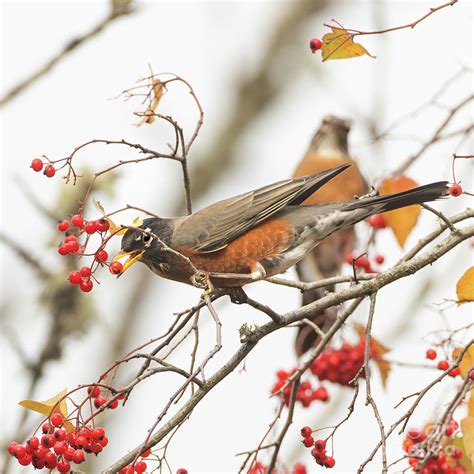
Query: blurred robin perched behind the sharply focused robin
{"type": "Point", "coordinates": [328, 148]}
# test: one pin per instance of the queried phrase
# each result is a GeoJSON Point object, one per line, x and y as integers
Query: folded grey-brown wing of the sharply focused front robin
{"type": "Point", "coordinates": [212, 228]}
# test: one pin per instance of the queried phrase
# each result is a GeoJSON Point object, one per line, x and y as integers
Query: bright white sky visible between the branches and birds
{"type": "Point", "coordinates": [212, 45]}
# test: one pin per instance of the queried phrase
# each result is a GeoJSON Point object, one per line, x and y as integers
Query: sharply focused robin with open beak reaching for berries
{"type": "Point", "coordinates": [254, 235]}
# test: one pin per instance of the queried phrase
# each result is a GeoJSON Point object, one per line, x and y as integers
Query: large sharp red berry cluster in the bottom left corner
{"type": "Point", "coordinates": [57, 448]}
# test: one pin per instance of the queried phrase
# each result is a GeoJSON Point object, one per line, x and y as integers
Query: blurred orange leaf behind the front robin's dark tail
{"type": "Point", "coordinates": [401, 221]}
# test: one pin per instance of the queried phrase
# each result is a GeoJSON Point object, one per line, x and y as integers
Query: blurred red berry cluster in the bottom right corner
{"type": "Point", "coordinates": [446, 459]}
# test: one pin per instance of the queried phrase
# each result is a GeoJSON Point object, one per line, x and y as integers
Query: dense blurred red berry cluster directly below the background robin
{"type": "Point", "coordinates": [340, 365]}
